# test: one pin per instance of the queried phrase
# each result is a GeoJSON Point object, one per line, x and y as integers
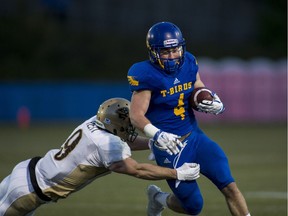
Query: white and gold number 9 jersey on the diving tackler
{"type": "Point", "coordinates": [85, 155]}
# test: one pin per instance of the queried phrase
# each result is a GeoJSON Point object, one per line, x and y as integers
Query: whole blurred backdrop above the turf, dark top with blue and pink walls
{"type": "Point", "coordinates": [60, 59]}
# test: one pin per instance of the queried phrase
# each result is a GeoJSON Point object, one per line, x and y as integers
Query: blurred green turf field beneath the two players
{"type": "Point", "coordinates": [257, 155]}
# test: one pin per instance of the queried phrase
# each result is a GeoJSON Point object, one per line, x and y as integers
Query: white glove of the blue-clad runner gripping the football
{"type": "Point", "coordinates": [214, 107]}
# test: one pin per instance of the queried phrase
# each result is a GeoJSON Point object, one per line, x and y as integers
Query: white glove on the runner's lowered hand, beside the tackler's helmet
{"type": "Point", "coordinates": [168, 142]}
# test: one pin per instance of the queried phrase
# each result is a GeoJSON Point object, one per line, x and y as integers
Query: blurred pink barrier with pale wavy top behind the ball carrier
{"type": "Point", "coordinates": [254, 91]}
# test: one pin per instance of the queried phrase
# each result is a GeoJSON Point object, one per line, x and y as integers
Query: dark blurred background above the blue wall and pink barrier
{"type": "Point", "coordinates": [93, 40]}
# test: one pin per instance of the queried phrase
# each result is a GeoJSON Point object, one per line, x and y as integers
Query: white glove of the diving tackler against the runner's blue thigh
{"type": "Point", "coordinates": [188, 172]}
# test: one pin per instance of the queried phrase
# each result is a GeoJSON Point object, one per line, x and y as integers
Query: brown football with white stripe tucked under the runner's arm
{"type": "Point", "coordinates": [198, 95]}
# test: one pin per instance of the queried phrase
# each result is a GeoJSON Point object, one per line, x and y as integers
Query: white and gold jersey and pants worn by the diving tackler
{"type": "Point", "coordinates": [84, 156]}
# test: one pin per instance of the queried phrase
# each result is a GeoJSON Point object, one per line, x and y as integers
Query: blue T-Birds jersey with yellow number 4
{"type": "Point", "coordinates": [169, 108]}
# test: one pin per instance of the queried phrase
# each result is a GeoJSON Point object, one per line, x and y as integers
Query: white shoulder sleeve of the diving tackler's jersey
{"type": "Point", "coordinates": [115, 150]}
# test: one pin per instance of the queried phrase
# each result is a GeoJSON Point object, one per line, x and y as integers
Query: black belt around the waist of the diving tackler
{"type": "Point", "coordinates": [35, 185]}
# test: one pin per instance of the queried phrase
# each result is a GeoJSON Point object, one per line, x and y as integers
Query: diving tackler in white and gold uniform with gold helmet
{"type": "Point", "coordinates": [94, 149]}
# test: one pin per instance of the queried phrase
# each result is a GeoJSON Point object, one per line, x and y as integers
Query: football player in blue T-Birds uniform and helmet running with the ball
{"type": "Point", "coordinates": [161, 88]}
